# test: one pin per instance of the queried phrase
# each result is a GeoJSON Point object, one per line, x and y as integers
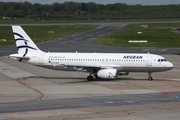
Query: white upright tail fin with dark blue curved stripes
{"type": "Point", "coordinates": [24, 43]}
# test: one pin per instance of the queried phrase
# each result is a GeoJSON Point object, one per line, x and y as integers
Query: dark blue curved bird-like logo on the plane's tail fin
{"type": "Point", "coordinates": [23, 45]}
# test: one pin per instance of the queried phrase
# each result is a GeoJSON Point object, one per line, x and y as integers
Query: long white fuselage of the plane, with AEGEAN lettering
{"type": "Point", "coordinates": [124, 62]}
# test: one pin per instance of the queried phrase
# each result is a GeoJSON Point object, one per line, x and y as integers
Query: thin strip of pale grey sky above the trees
{"type": "Point", "coordinates": [130, 2]}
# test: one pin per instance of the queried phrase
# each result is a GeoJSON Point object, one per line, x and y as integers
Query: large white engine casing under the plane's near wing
{"type": "Point", "coordinates": [107, 73]}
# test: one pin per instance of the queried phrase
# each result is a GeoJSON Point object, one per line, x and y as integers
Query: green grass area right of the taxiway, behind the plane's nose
{"type": "Point", "coordinates": [157, 35]}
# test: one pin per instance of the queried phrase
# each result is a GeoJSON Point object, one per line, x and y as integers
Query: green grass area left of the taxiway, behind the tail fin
{"type": "Point", "coordinates": [40, 33]}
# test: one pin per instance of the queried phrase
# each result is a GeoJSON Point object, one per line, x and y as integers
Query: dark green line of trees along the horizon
{"type": "Point", "coordinates": [87, 11]}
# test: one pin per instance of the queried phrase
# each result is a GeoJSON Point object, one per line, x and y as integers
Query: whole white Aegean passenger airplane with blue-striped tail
{"type": "Point", "coordinates": [98, 65]}
